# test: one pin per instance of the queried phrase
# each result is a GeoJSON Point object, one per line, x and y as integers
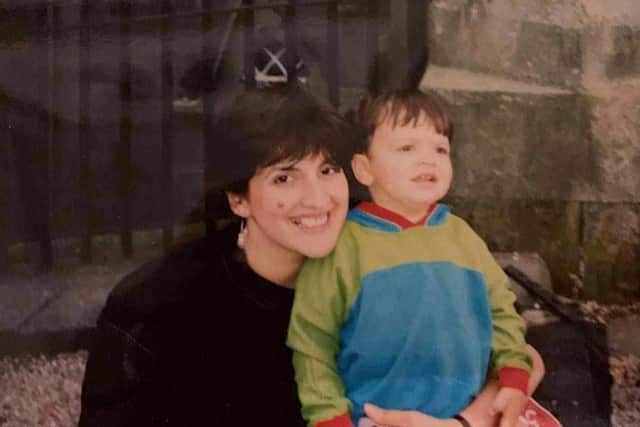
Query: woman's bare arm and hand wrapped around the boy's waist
{"type": "Point", "coordinates": [477, 413]}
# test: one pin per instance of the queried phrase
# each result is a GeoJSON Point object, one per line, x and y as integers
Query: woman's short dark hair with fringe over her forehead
{"type": "Point", "coordinates": [268, 125]}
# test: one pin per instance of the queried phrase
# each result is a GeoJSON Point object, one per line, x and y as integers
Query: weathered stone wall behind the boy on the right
{"type": "Point", "coordinates": [545, 98]}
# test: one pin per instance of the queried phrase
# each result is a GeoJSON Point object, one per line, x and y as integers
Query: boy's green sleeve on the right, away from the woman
{"type": "Point", "coordinates": [509, 348]}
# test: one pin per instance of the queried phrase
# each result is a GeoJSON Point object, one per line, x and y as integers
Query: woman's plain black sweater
{"type": "Point", "coordinates": [196, 338]}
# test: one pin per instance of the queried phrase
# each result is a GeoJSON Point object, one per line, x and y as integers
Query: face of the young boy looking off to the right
{"type": "Point", "coordinates": [407, 168]}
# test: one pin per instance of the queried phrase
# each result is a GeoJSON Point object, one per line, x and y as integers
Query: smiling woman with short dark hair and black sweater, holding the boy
{"type": "Point", "coordinates": [198, 337]}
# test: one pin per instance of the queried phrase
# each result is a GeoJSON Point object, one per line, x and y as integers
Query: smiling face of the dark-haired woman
{"type": "Point", "coordinates": [296, 206]}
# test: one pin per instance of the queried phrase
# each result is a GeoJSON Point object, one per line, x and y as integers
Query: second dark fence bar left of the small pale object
{"type": "Point", "coordinates": [123, 151]}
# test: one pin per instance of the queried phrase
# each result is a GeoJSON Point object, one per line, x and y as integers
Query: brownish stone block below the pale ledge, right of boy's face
{"type": "Point", "coordinates": [521, 145]}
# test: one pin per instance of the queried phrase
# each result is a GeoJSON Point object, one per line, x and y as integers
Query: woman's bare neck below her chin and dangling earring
{"type": "Point", "coordinates": [270, 260]}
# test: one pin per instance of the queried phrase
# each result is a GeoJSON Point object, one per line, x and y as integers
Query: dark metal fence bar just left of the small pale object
{"type": "Point", "coordinates": [167, 121]}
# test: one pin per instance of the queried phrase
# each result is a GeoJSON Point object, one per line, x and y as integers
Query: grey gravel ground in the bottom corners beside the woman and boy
{"type": "Point", "coordinates": [41, 391]}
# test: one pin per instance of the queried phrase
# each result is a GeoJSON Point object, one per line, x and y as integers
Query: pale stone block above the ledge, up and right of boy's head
{"type": "Point", "coordinates": [528, 41]}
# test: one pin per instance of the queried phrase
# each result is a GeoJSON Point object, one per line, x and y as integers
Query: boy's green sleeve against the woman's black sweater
{"type": "Point", "coordinates": [325, 290]}
